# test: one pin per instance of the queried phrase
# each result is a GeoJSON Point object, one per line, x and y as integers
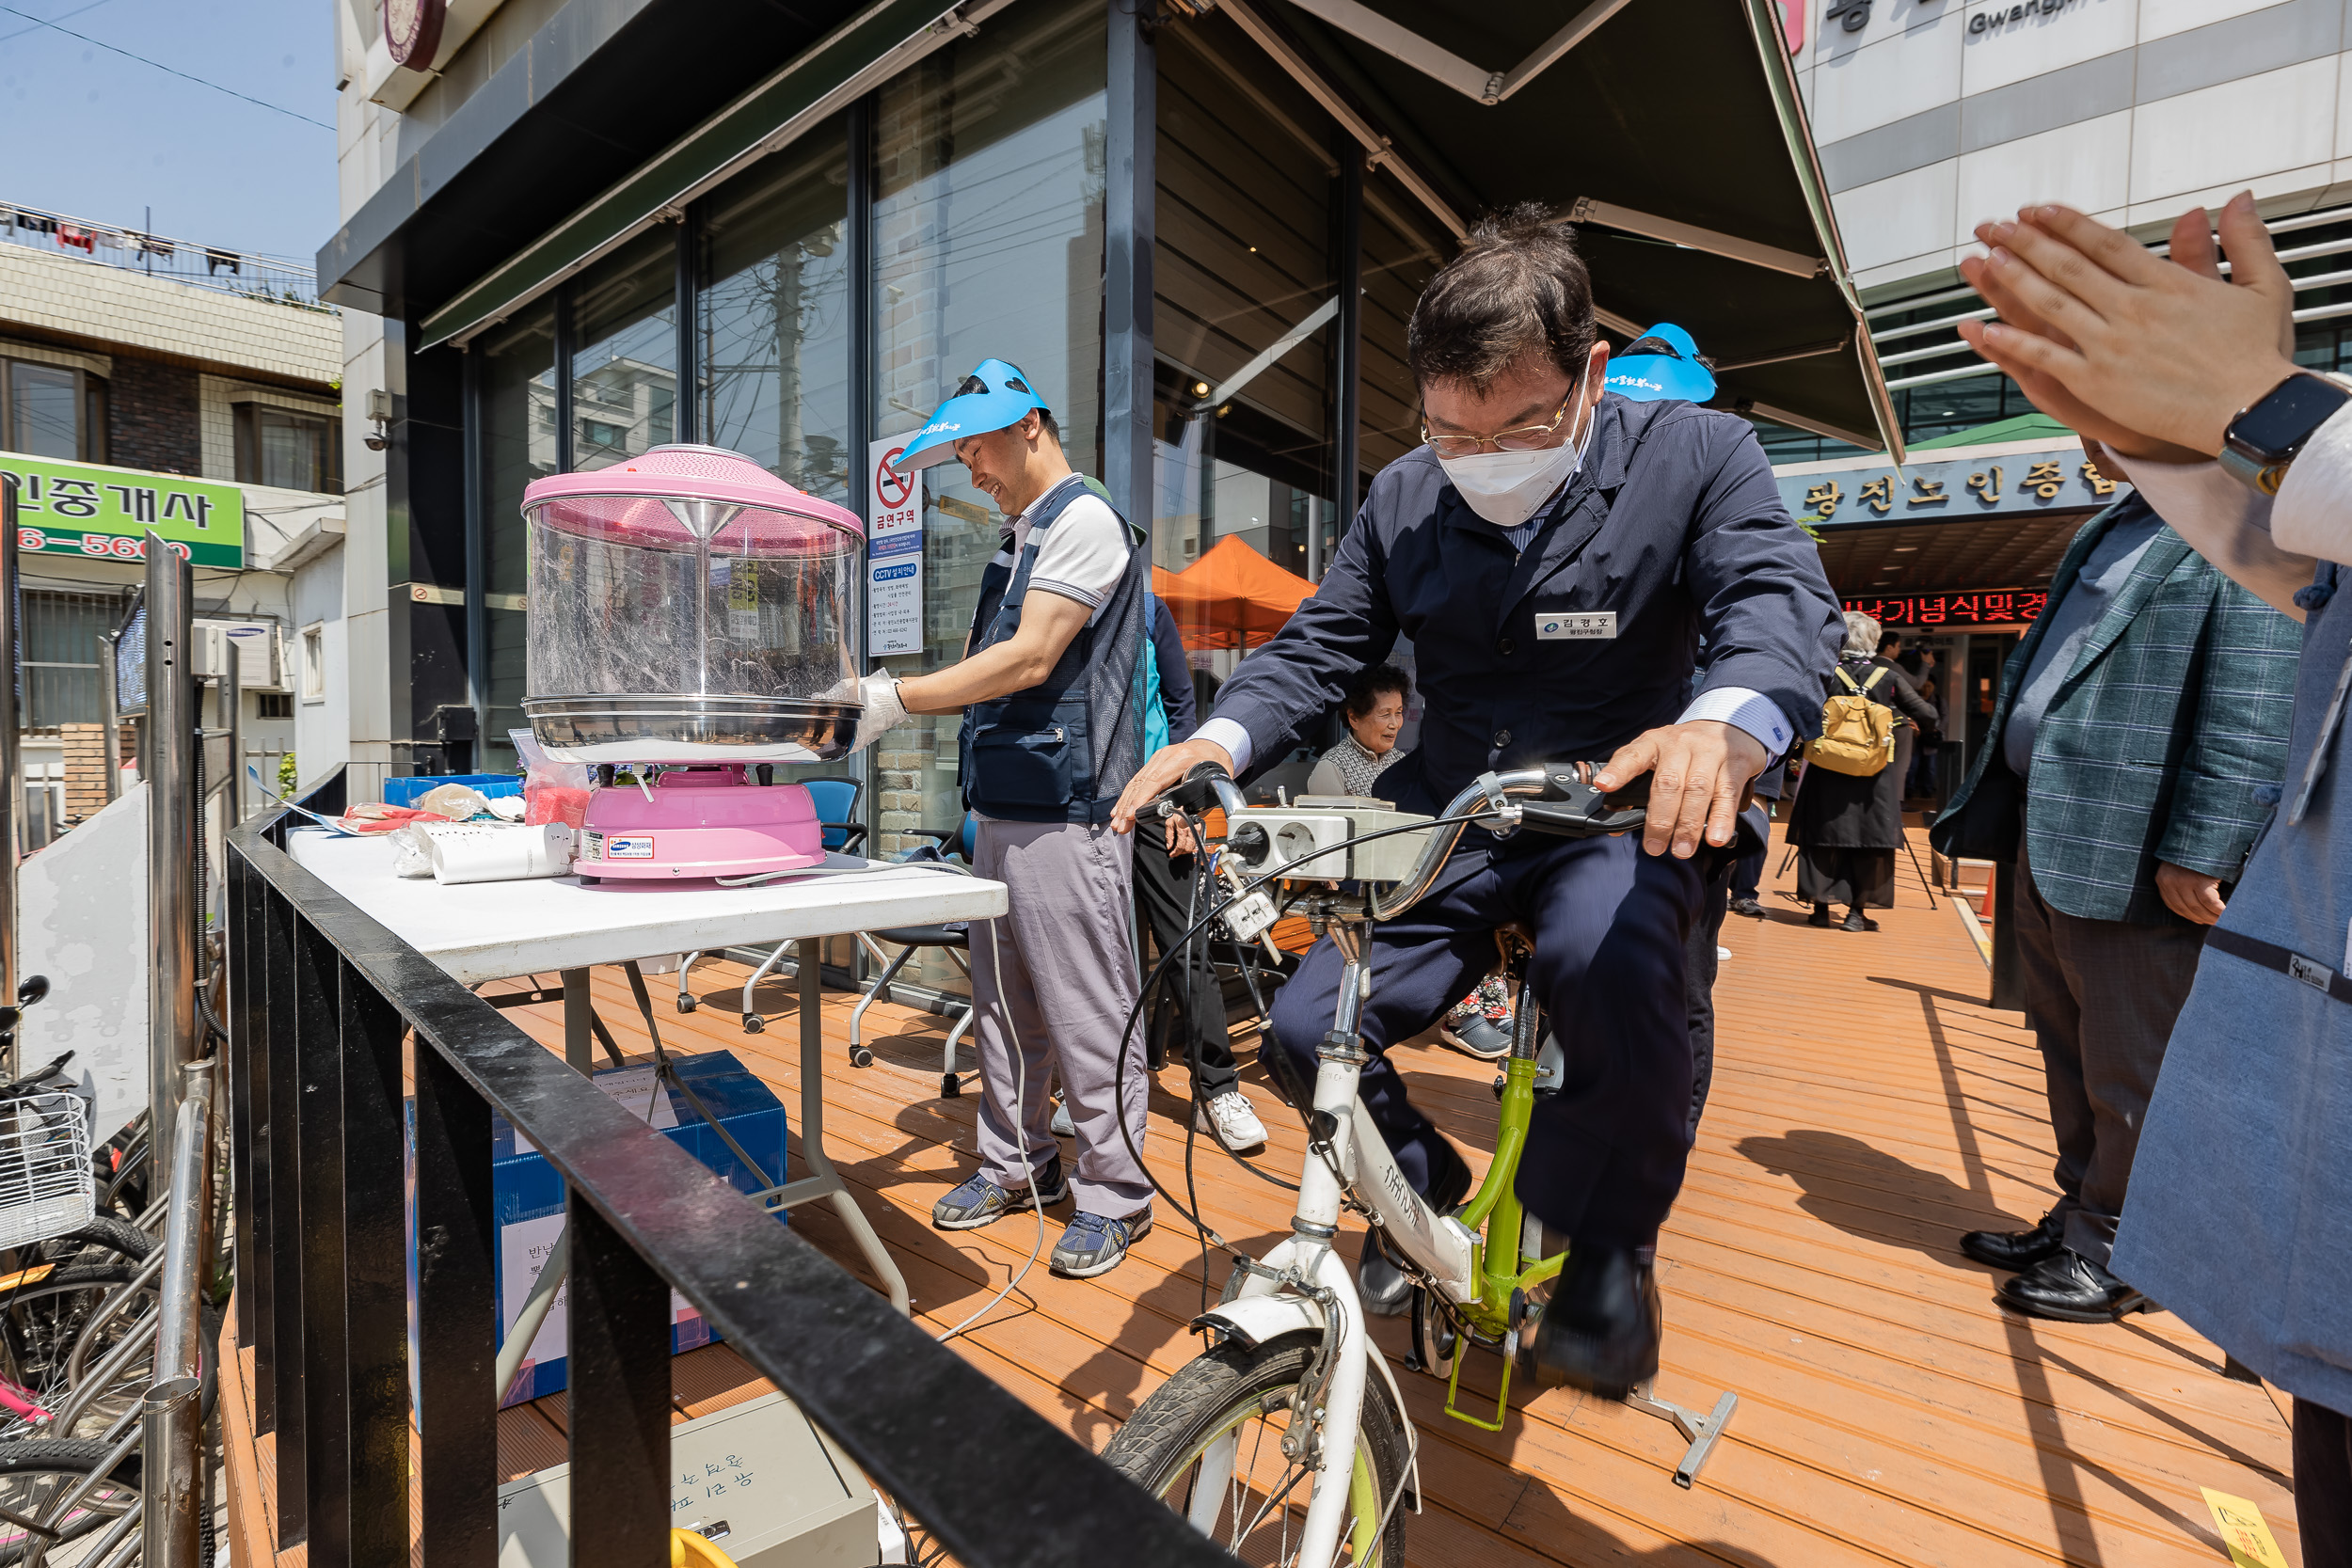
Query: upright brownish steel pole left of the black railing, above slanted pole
{"type": "Point", "coordinates": [173, 737]}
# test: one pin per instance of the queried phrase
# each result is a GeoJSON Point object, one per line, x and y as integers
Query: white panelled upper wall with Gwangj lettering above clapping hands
{"type": "Point", "coordinates": [1942, 114]}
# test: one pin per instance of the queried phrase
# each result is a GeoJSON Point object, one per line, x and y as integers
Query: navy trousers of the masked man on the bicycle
{"type": "Point", "coordinates": [1605, 1155]}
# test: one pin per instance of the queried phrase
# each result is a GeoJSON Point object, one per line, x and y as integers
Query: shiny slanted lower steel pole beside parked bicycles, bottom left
{"type": "Point", "coordinates": [173, 1423]}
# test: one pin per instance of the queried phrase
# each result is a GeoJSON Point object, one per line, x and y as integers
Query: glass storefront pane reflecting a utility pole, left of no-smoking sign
{"type": "Point", "coordinates": [775, 316]}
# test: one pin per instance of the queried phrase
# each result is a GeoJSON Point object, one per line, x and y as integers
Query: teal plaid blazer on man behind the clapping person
{"type": "Point", "coordinates": [2165, 742]}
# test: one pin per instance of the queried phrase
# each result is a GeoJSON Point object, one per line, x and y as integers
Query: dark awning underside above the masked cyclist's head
{"type": "Point", "coordinates": [1673, 133]}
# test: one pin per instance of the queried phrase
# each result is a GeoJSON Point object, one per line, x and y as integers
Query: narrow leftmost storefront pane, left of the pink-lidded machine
{"type": "Point", "coordinates": [519, 445]}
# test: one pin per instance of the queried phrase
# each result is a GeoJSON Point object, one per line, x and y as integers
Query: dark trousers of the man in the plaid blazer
{"type": "Point", "coordinates": [2102, 998]}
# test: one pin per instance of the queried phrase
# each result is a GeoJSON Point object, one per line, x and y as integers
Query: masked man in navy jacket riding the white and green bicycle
{"type": "Point", "coordinates": [1556, 554]}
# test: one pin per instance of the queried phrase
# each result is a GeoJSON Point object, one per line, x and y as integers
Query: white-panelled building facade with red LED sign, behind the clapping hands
{"type": "Point", "coordinates": [1935, 116]}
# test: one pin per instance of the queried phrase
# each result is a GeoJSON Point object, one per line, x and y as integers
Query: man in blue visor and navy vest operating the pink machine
{"type": "Point", "coordinates": [1053, 699]}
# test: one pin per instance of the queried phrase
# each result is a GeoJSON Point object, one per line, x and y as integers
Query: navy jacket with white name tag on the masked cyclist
{"type": "Point", "coordinates": [1671, 525]}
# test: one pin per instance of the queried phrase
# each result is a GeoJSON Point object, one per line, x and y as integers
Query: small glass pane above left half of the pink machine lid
{"type": "Point", "coordinates": [624, 351]}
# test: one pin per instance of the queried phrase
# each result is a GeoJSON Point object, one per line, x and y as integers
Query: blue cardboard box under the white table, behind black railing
{"type": "Point", "coordinates": [528, 1195]}
